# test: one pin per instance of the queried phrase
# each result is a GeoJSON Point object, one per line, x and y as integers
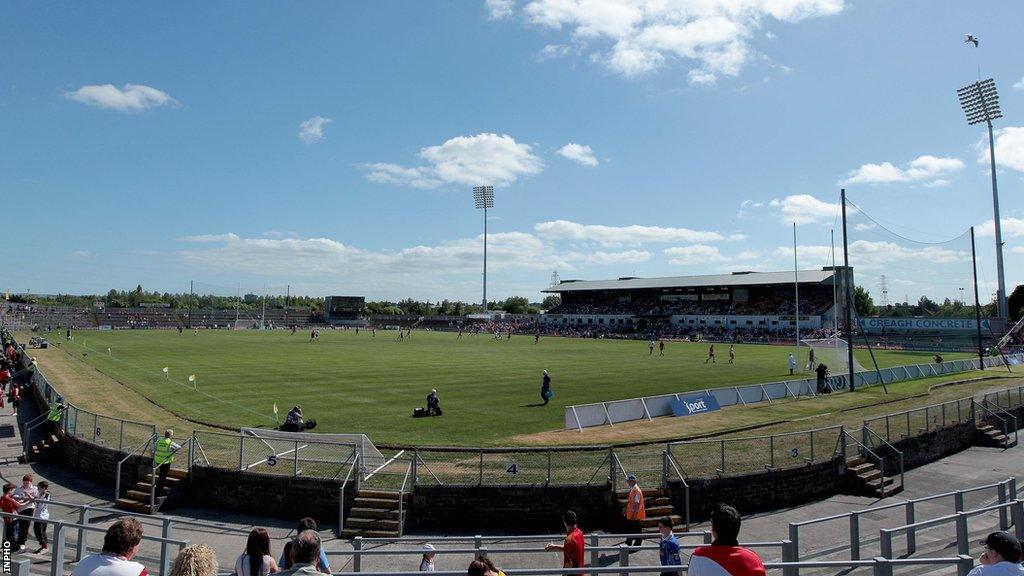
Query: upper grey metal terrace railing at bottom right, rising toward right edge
{"type": "Point", "coordinates": [1005, 492]}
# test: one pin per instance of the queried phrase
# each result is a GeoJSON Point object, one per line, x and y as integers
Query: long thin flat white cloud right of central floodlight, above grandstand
{"type": "Point", "coordinates": [630, 235]}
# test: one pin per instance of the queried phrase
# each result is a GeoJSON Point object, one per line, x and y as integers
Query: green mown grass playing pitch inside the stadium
{"type": "Point", "coordinates": [358, 384]}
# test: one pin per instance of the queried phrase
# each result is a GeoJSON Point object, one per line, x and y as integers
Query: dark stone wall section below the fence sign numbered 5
{"type": "Point", "coordinates": [267, 495]}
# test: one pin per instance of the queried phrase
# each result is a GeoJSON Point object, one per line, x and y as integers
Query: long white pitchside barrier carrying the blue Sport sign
{"type": "Point", "coordinates": [586, 416]}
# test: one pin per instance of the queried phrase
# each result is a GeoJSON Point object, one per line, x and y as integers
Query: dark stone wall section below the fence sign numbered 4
{"type": "Point", "coordinates": [516, 510]}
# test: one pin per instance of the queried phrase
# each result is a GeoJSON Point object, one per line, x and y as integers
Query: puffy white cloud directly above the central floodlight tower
{"type": "Point", "coordinates": [484, 159]}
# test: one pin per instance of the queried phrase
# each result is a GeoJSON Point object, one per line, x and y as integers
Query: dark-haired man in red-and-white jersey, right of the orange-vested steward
{"type": "Point", "coordinates": [726, 557]}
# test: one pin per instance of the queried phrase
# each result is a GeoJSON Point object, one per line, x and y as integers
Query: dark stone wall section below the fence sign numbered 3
{"type": "Point", "coordinates": [761, 491]}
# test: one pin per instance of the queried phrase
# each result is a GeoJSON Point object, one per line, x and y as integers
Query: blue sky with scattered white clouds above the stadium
{"type": "Point", "coordinates": [333, 147]}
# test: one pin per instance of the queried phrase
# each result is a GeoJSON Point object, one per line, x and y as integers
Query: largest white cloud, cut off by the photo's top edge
{"type": "Point", "coordinates": [643, 36]}
